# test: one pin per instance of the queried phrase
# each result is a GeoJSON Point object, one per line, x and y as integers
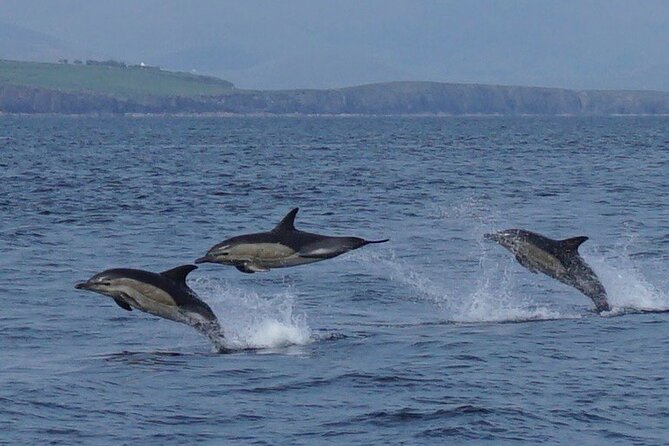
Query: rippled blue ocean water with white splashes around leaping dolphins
{"type": "Point", "coordinates": [437, 337]}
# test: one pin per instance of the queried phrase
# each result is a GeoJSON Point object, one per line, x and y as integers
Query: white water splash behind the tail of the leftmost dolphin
{"type": "Point", "coordinates": [250, 321]}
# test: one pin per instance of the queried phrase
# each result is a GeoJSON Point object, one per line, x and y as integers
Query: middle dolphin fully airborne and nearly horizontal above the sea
{"type": "Point", "coordinates": [281, 247]}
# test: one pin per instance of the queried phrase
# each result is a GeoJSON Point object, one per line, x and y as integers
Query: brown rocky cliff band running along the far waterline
{"type": "Point", "coordinates": [397, 98]}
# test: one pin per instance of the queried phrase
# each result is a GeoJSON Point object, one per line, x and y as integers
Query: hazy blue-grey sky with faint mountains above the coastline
{"type": "Point", "coordinates": [315, 44]}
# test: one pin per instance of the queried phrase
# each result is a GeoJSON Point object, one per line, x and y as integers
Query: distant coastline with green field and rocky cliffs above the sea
{"type": "Point", "coordinates": [110, 88]}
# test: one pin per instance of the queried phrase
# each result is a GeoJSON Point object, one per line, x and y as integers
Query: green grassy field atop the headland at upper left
{"type": "Point", "coordinates": [128, 82]}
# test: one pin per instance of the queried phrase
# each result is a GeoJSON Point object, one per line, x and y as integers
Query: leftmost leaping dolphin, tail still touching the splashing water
{"type": "Point", "coordinates": [162, 294]}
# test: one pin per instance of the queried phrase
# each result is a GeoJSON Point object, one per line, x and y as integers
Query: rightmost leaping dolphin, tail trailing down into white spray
{"type": "Point", "coordinates": [558, 259]}
